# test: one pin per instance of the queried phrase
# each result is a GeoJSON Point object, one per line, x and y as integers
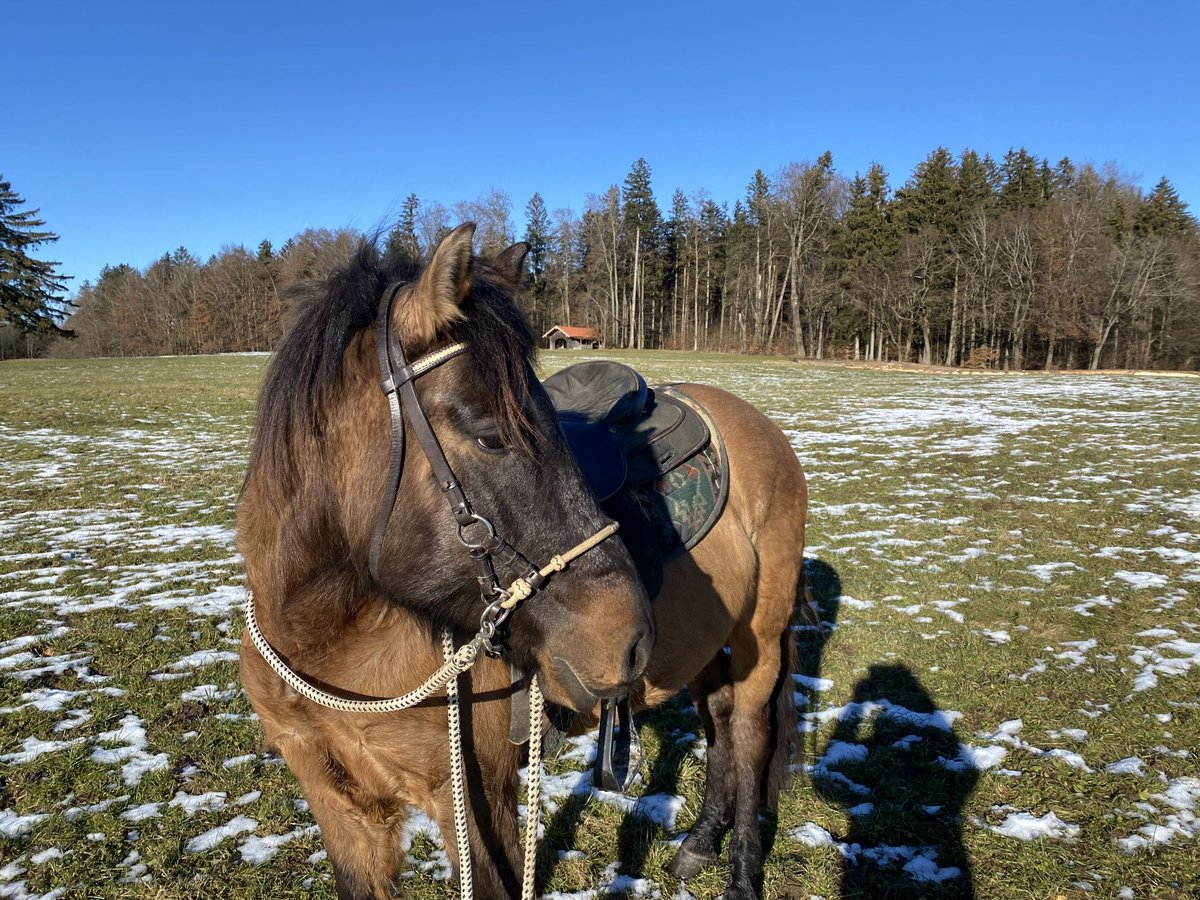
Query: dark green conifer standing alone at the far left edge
{"type": "Point", "coordinates": [31, 290]}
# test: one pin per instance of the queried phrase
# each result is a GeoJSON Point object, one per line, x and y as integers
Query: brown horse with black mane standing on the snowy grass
{"type": "Point", "coordinates": [326, 487]}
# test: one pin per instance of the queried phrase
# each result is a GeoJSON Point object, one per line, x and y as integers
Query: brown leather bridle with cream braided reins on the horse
{"type": "Point", "coordinates": [500, 603]}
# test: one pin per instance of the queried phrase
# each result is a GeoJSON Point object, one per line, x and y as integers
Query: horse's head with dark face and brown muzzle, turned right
{"type": "Point", "coordinates": [590, 629]}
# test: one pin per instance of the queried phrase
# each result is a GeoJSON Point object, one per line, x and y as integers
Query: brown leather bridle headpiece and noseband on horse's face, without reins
{"type": "Point", "coordinates": [477, 535]}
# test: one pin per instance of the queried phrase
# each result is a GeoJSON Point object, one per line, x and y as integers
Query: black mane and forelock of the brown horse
{"type": "Point", "coordinates": [305, 375]}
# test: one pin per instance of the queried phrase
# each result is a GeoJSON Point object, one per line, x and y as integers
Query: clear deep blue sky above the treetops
{"type": "Point", "coordinates": [137, 128]}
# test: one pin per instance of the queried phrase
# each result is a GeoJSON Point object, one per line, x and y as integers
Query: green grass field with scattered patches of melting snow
{"type": "Point", "coordinates": [1004, 699]}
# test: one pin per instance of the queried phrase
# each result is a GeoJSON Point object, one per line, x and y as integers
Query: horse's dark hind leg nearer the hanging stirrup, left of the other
{"type": "Point", "coordinates": [712, 692]}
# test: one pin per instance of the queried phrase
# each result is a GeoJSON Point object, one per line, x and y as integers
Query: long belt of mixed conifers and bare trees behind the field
{"type": "Point", "coordinates": [1017, 263]}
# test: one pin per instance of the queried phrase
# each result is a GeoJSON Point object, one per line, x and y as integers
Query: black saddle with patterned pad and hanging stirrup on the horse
{"type": "Point", "coordinates": [658, 466]}
